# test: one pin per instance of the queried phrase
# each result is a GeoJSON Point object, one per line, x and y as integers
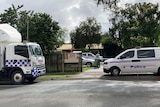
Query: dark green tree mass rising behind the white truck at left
{"type": "Point", "coordinates": [36, 27]}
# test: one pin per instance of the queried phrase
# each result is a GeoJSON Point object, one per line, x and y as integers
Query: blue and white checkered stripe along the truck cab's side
{"type": "Point", "coordinates": [18, 63]}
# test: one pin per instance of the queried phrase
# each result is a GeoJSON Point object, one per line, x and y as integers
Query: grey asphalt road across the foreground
{"type": "Point", "coordinates": [102, 91]}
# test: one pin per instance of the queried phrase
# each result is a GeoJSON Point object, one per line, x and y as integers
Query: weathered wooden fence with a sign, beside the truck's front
{"type": "Point", "coordinates": [64, 62]}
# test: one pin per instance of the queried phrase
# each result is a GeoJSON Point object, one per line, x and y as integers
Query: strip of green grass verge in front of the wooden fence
{"type": "Point", "coordinates": [61, 75]}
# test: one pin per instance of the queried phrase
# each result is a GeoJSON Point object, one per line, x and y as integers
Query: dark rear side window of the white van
{"type": "Point", "coordinates": [146, 53]}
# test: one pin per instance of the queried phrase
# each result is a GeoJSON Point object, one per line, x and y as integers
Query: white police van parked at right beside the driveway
{"type": "Point", "coordinates": [136, 60]}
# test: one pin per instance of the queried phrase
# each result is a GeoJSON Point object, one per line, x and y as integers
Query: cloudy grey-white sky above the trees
{"type": "Point", "coordinates": [69, 13]}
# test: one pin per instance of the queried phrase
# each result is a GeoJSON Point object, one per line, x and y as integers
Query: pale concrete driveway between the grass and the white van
{"type": "Point", "coordinates": [94, 73]}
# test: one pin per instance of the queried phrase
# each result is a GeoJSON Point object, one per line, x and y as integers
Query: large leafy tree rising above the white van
{"type": "Point", "coordinates": [135, 24]}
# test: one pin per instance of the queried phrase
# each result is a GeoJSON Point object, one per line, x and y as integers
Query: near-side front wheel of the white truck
{"type": "Point", "coordinates": [17, 77]}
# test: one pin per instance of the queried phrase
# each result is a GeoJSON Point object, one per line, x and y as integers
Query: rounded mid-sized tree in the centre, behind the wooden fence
{"type": "Point", "coordinates": [88, 32]}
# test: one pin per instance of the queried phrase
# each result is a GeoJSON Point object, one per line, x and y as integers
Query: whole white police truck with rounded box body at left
{"type": "Point", "coordinates": [19, 61]}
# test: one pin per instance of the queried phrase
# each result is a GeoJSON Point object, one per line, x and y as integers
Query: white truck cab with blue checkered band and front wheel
{"type": "Point", "coordinates": [23, 61]}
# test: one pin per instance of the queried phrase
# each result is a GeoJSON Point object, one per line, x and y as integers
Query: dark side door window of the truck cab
{"type": "Point", "coordinates": [21, 50]}
